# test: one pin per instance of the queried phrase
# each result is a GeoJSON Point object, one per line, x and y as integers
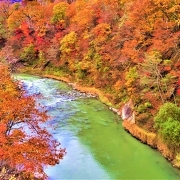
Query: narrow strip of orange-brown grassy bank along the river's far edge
{"type": "Point", "coordinates": [151, 139]}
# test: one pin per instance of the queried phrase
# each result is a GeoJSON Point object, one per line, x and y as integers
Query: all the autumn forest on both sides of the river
{"type": "Point", "coordinates": [128, 49]}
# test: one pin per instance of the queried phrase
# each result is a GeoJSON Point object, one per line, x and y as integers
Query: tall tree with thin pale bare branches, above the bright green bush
{"type": "Point", "coordinates": [156, 78]}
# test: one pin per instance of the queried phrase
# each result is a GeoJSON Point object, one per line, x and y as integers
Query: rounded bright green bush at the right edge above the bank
{"type": "Point", "coordinates": [167, 122]}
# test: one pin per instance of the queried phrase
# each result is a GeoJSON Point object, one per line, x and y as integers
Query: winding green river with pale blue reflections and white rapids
{"type": "Point", "coordinates": [96, 144]}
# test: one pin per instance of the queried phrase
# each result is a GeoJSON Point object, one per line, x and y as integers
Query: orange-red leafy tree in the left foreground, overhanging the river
{"type": "Point", "coordinates": [25, 145]}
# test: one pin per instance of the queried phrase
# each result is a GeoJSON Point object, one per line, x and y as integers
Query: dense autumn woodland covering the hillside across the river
{"type": "Point", "coordinates": [129, 49]}
